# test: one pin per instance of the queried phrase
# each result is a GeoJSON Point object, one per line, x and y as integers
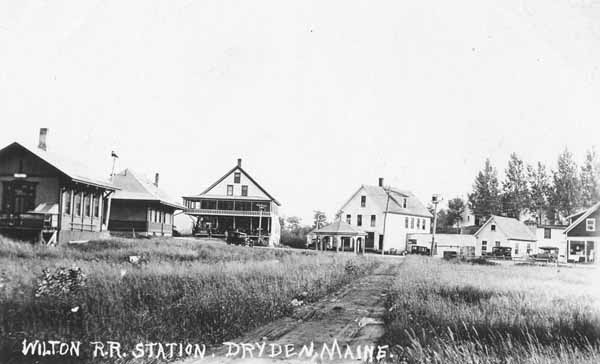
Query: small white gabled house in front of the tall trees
{"type": "Point", "coordinates": [500, 231]}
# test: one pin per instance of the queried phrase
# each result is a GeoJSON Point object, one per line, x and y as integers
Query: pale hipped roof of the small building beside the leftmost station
{"type": "Point", "coordinates": [137, 187]}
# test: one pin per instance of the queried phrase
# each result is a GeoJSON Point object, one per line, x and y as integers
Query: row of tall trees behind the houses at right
{"type": "Point", "coordinates": [535, 192]}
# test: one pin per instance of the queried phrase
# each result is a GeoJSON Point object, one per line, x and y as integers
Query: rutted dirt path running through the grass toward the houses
{"type": "Point", "coordinates": [351, 316]}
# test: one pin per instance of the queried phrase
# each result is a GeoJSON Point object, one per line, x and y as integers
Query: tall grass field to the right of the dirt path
{"type": "Point", "coordinates": [442, 312]}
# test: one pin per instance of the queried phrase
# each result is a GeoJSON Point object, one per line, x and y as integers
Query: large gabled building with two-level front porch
{"type": "Point", "coordinates": [235, 202]}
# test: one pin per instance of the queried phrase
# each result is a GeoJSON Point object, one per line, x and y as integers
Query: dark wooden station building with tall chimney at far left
{"type": "Point", "coordinates": [49, 198]}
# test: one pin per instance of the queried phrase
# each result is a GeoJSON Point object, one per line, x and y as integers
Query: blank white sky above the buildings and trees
{"type": "Point", "coordinates": [317, 97]}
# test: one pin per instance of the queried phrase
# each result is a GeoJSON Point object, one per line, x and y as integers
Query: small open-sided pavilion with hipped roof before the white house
{"type": "Point", "coordinates": [340, 236]}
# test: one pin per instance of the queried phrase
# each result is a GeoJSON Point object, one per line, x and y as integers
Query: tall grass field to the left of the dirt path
{"type": "Point", "coordinates": [182, 291]}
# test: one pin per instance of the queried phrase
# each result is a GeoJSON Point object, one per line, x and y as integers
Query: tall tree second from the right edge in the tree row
{"type": "Point", "coordinates": [566, 194]}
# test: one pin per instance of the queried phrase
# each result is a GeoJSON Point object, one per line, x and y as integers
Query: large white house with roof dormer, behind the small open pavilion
{"type": "Point", "coordinates": [387, 215]}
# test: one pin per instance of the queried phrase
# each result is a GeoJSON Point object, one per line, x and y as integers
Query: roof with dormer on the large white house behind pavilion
{"type": "Point", "coordinates": [379, 196]}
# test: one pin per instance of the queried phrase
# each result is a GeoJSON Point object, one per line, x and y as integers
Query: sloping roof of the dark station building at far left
{"type": "Point", "coordinates": [76, 171]}
